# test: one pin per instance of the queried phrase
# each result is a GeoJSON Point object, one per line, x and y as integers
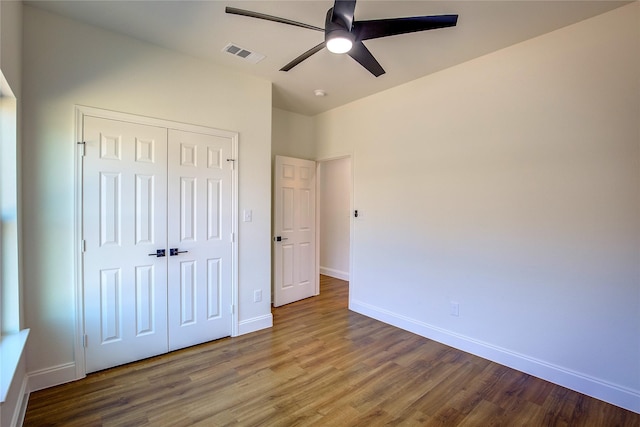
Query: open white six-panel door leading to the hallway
{"type": "Point", "coordinates": [295, 275]}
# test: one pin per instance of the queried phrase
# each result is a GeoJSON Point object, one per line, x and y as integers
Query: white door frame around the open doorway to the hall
{"type": "Point", "coordinates": [319, 162]}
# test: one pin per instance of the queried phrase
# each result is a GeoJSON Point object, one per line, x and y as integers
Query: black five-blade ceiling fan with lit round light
{"type": "Point", "coordinates": [343, 34]}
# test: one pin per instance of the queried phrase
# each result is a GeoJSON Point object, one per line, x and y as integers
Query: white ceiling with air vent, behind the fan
{"type": "Point", "coordinates": [202, 29]}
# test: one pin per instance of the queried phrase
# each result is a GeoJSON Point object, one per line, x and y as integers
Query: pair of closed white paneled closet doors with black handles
{"type": "Point", "coordinates": [157, 240]}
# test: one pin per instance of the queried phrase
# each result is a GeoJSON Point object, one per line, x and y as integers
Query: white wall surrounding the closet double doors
{"type": "Point", "coordinates": [67, 63]}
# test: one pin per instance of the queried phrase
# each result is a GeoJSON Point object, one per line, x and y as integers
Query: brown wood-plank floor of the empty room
{"type": "Point", "coordinates": [319, 365]}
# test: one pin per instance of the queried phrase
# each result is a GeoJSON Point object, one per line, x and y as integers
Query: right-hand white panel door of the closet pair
{"type": "Point", "coordinates": [200, 218]}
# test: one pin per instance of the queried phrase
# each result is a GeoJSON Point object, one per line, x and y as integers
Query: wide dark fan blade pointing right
{"type": "Point", "coordinates": [366, 30]}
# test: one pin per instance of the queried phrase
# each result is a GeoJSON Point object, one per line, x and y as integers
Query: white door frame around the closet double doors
{"type": "Point", "coordinates": [80, 112]}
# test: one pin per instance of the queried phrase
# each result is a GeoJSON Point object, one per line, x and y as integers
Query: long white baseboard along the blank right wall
{"type": "Point", "coordinates": [602, 390]}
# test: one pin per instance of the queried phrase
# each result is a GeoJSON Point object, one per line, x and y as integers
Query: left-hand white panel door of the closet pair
{"type": "Point", "coordinates": [125, 208]}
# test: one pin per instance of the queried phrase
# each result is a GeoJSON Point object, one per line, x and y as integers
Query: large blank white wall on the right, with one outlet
{"type": "Point", "coordinates": [511, 185]}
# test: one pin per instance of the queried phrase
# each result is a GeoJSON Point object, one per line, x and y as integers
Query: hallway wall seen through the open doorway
{"type": "Point", "coordinates": [335, 216]}
